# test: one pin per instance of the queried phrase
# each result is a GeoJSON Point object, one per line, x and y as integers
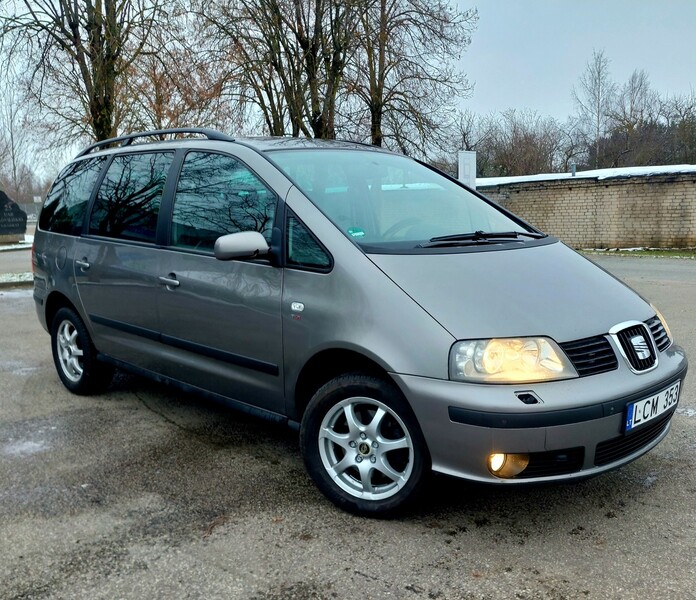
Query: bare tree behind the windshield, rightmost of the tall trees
{"type": "Point", "coordinates": [403, 74]}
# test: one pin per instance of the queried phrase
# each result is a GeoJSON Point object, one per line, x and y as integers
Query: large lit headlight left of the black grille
{"type": "Point", "coordinates": [509, 360]}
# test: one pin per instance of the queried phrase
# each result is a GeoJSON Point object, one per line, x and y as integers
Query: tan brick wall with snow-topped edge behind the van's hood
{"type": "Point", "coordinates": [656, 211]}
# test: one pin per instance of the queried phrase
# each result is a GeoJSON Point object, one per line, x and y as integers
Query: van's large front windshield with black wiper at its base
{"type": "Point", "coordinates": [386, 201]}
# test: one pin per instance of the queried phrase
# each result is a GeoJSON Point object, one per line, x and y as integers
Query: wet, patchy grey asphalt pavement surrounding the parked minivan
{"type": "Point", "coordinates": [146, 492]}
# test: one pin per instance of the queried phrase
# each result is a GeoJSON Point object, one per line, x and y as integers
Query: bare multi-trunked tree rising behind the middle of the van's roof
{"type": "Point", "coordinates": [287, 58]}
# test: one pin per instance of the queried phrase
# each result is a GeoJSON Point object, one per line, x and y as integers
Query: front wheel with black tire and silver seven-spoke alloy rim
{"type": "Point", "coordinates": [363, 447]}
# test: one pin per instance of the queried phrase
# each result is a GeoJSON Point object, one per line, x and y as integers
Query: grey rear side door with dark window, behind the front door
{"type": "Point", "coordinates": [117, 264]}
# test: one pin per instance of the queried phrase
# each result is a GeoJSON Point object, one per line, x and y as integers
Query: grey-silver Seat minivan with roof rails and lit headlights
{"type": "Point", "coordinates": [403, 322]}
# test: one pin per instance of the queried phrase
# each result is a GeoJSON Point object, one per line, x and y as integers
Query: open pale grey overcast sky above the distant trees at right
{"type": "Point", "coordinates": [528, 54]}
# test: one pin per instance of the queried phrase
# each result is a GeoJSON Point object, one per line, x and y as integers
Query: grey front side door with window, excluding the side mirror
{"type": "Point", "coordinates": [221, 320]}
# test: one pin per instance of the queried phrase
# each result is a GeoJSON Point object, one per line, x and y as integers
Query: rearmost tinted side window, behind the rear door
{"type": "Point", "coordinates": [66, 203]}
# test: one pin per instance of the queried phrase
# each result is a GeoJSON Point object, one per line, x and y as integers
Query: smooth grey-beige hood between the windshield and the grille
{"type": "Point", "coordinates": [547, 290]}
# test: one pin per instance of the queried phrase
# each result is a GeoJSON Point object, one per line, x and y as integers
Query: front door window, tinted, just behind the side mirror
{"type": "Point", "coordinates": [217, 195]}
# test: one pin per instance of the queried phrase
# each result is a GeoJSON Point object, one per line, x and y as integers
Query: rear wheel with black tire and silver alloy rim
{"type": "Point", "coordinates": [75, 356]}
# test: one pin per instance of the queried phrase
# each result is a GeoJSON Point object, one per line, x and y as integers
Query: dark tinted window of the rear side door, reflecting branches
{"type": "Point", "coordinates": [129, 197]}
